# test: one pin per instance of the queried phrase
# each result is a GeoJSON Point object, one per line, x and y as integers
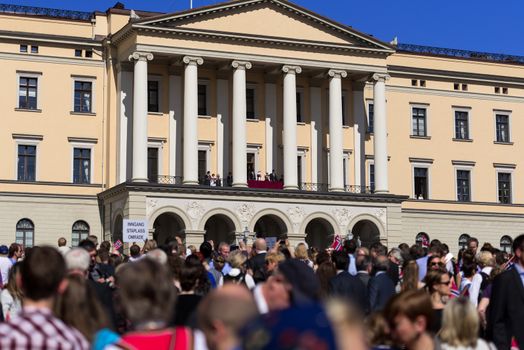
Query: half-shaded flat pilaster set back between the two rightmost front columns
{"type": "Point", "coordinates": [359, 133]}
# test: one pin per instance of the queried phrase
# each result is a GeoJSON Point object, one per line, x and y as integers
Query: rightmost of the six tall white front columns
{"type": "Point", "coordinates": [380, 133]}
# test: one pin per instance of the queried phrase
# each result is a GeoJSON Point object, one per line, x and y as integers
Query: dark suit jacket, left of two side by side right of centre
{"type": "Point", "coordinates": [350, 288]}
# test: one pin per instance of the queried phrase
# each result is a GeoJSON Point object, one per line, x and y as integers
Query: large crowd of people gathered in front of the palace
{"type": "Point", "coordinates": [253, 297]}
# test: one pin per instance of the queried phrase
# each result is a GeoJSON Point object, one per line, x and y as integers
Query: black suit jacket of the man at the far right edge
{"type": "Point", "coordinates": [506, 310]}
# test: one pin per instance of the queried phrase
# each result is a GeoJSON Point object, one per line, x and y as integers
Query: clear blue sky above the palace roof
{"type": "Point", "coordinates": [479, 25]}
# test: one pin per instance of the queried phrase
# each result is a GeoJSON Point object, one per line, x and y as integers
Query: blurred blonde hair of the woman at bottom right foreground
{"type": "Point", "coordinates": [460, 323]}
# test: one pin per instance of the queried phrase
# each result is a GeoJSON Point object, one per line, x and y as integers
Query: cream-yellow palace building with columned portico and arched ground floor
{"type": "Point", "coordinates": [314, 128]}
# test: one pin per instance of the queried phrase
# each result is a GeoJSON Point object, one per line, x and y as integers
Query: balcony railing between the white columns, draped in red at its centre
{"type": "Point", "coordinates": [304, 186]}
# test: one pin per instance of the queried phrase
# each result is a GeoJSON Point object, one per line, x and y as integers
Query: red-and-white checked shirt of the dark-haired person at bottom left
{"type": "Point", "coordinates": [39, 329]}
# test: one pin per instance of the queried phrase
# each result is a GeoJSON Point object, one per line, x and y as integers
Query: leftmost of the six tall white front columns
{"type": "Point", "coordinates": [140, 115]}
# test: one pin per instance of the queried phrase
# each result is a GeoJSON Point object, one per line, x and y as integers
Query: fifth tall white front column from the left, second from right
{"type": "Point", "coordinates": [336, 149]}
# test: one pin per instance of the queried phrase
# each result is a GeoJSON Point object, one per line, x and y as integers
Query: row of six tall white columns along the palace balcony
{"type": "Point", "coordinates": [190, 125]}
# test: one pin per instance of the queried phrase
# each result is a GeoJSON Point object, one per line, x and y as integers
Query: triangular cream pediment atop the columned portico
{"type": "Point", "coordinates": [270, 20]}
